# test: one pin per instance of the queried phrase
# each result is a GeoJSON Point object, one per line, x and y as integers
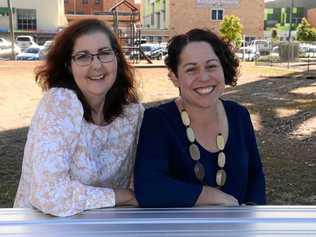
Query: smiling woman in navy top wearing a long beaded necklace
{"type": "Point", "coordinates": [198, 149]}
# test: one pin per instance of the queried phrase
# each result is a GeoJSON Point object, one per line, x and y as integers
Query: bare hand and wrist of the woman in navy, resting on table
{"type": "Point", "coordinates": [214, 196]}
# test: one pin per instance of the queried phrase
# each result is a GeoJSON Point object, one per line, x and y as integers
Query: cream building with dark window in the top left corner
{"type": "Point", "coordinates": [41, 16]}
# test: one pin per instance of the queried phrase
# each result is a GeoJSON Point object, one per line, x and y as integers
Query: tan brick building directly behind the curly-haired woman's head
{"type": "Point", "coordinates": [161, 19]}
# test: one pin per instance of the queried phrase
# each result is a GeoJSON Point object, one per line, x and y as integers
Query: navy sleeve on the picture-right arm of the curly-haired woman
{"type": "Point", "coordinates": [256, 181]}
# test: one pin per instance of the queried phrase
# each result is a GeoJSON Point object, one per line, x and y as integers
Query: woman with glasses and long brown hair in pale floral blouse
{"type": "Point", "coordinates": [81, 143]}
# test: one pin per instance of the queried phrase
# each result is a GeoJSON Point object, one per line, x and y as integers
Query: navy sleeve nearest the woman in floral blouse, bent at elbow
{"type": "Point", "coordinates": [154, 184]}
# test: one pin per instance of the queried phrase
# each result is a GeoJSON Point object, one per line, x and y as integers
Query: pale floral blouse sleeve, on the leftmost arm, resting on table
{"type": "Point", "coordinates": [52, 140]}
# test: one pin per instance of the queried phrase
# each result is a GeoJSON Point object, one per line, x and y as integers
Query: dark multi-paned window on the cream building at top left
{"type": "Point", "coordinates": [26, 19]}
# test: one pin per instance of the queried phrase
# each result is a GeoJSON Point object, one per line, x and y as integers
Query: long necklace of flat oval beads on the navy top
{"type": "Point", "coordinates": [195, 151]}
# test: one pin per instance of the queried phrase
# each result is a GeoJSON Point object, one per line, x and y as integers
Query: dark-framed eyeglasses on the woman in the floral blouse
{"type": "Point", "coordinates": [86, 58]}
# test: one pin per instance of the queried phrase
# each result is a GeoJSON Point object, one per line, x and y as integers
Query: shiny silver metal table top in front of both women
{"type": "Point", "coordinates": [205, 221]}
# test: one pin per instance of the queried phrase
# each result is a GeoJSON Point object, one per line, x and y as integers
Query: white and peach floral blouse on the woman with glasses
{"type": "Point", "coordinates": [70, 165]}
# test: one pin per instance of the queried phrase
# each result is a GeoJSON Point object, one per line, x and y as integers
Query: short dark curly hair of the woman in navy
{"type": "Point", "coordinates": [228, 60]}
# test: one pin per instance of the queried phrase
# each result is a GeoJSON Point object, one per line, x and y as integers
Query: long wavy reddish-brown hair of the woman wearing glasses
{"type": "Point", "coordinates": [55, 71]}
